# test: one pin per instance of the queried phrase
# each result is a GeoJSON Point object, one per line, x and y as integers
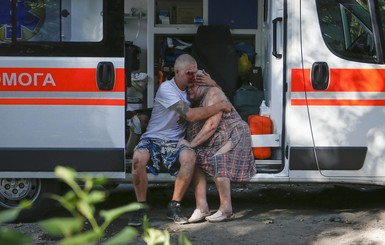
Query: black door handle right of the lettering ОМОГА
{"type": "Point", "coordinates": [105, 77]}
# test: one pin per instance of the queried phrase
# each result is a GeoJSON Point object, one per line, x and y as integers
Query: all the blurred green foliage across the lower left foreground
{"type": "Point", "coordinates": [80, 202]}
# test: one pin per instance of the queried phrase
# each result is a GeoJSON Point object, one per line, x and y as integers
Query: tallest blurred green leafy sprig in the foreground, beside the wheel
{"type": "Point", "coordinates": [80, 201]}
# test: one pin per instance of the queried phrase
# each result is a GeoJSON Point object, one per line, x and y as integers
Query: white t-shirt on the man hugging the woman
{"type": "Point", "coordinates": [165, 123]}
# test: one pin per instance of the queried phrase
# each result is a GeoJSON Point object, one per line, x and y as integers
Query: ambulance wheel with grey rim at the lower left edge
{"type": "Point", "coordinates": [14, 190]}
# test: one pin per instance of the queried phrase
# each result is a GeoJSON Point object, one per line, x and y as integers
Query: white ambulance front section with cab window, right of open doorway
{"type": "Point", "coordinates": [340, 88]}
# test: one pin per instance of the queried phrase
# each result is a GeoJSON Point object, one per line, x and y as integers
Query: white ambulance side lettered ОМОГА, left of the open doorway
{"type": "Point", "coordinates": [62, 92]}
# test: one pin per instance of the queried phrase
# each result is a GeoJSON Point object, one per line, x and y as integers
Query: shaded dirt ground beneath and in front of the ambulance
{"type": "Point", "coordinates": [265, 214]}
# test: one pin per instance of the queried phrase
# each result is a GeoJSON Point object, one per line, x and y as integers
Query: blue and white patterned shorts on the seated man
{"type": "Point", "coordinates": [162, 153]}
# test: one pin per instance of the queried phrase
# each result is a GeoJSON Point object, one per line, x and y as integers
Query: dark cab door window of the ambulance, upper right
{"type": "Point", "coordinates": [347, 30]}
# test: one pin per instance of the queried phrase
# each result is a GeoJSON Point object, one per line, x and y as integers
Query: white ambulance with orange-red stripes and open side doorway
{"type": "Point", "coordinates": [63, 93]}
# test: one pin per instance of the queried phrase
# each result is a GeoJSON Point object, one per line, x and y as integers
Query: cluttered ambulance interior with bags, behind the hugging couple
{"type": "Point", "coordinates": [234, 58]}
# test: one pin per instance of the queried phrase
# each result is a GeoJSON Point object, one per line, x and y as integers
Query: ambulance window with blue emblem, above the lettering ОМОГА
{"type": "Point", "coordinates": [51, 21]}
